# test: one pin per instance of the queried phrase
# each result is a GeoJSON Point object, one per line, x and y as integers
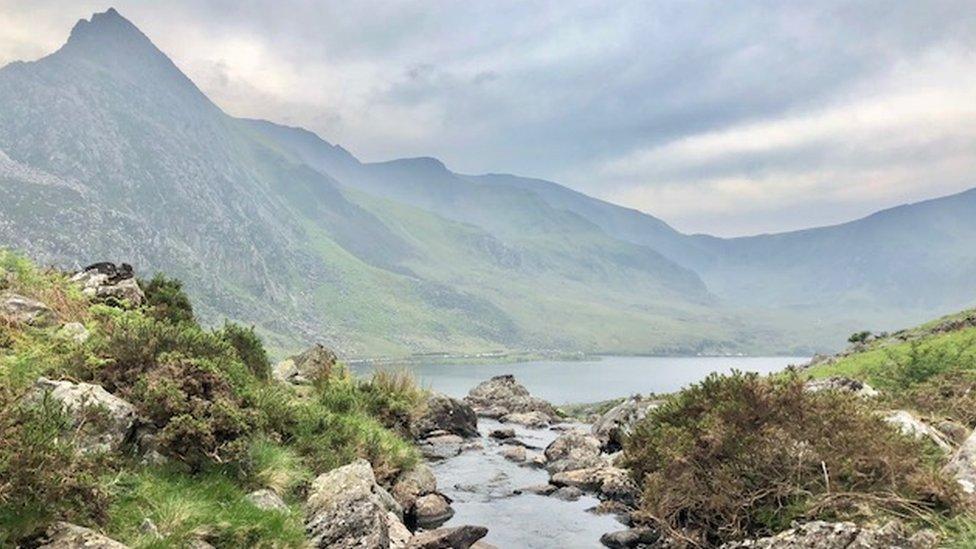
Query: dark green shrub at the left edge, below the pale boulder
{"type": "Point", "coordinates": [42, 476]}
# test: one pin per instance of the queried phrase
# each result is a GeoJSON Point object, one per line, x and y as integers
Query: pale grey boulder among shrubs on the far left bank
{"type": "Point", "coordinates": [103, 422]}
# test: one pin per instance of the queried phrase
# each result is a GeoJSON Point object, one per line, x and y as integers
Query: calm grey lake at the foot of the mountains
{"type": "Point", "coordinates": [566, 382]}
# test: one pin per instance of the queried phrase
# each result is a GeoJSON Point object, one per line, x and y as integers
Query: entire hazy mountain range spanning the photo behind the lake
{"type": "Point", "coordinates": [109, 152]}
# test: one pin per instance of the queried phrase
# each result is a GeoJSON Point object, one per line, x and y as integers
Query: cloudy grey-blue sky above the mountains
{"type": "Point", "coordinates": [725, 117]}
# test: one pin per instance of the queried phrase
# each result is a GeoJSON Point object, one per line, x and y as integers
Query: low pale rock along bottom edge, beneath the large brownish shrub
{"type": "Point", "coordinates": [841, 535]}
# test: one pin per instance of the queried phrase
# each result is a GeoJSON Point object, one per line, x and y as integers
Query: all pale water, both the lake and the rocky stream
{"type": "Point", "coordinates": [483, 484]}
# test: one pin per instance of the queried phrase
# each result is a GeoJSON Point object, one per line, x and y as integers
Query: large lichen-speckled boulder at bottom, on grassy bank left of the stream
{"type": "Point", "coordinates": [345, 509]}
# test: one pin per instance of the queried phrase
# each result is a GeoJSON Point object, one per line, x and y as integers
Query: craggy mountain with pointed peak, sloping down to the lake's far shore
{"type": "Point", "coordinates": [110, 152]}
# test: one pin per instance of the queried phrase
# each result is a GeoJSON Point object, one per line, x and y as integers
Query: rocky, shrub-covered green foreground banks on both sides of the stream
{"type": "Point", "coordinates": [121, 416]}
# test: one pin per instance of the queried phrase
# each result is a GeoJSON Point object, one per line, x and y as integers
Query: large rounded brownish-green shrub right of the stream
{"type": "Point", "coordinates": [741, 455]}
